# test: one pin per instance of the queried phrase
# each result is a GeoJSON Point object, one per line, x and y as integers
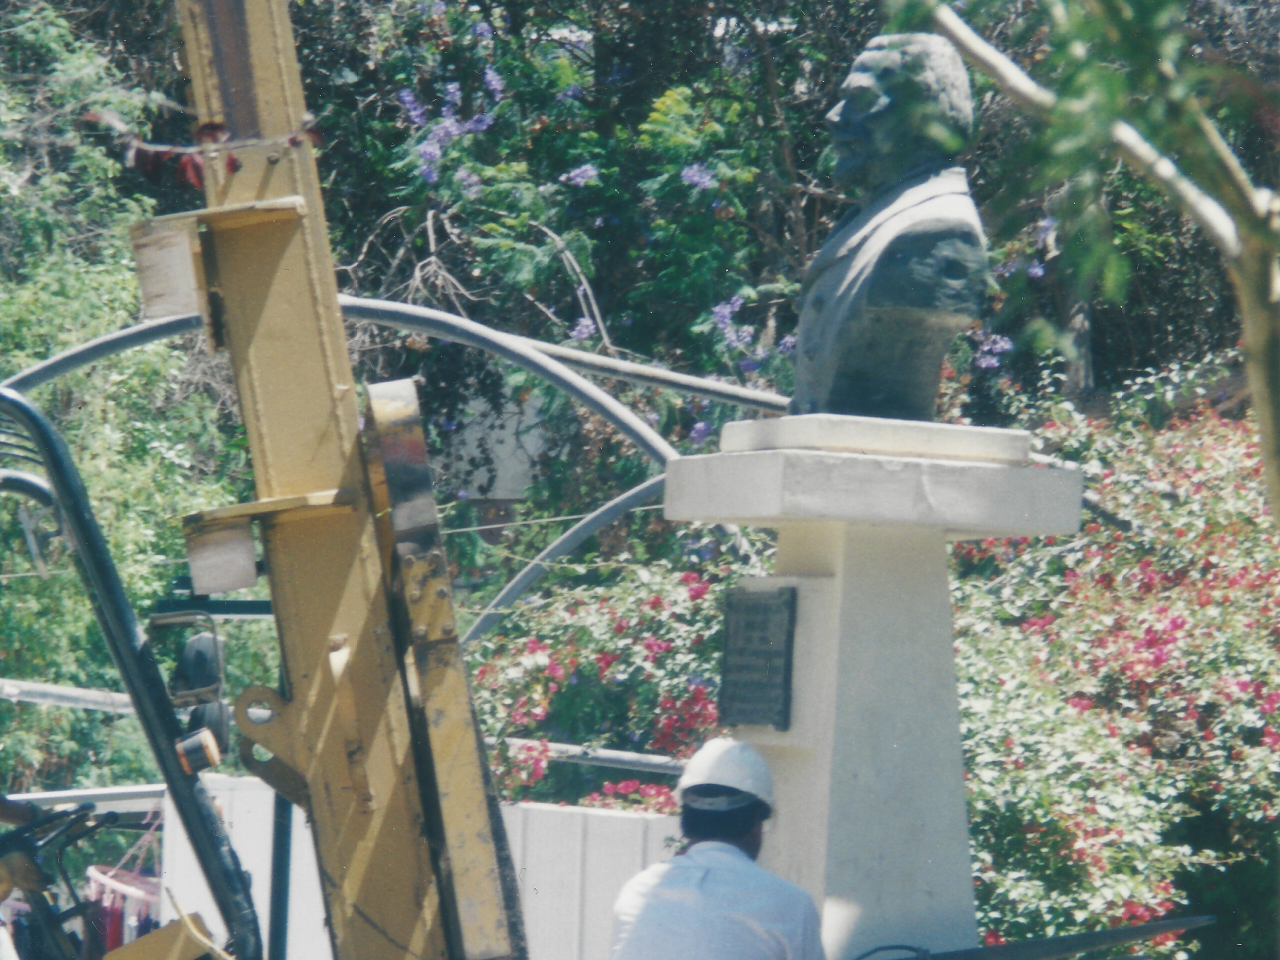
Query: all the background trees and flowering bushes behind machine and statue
{"type": "Point", "coordinates": [1121, 740]}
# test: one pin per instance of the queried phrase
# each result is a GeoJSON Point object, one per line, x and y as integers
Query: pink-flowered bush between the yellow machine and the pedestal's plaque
{"type": "Point", "coordinates": [633, 665]}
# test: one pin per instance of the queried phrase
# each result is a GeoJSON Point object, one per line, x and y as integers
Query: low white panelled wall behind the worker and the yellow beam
{"type": "Point", "coordinates": [572, 863]}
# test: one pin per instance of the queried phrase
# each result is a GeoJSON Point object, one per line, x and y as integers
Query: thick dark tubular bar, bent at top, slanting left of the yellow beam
{"type": "Point", "coordinates": [143, 679]}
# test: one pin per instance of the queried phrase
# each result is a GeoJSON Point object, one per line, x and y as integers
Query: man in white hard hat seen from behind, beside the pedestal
{"type": "Point", "coordinates": [714, 902]}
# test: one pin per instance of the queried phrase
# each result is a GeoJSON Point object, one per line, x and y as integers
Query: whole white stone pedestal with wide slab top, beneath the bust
{"type": "Point", "coordinates": [871, 799]}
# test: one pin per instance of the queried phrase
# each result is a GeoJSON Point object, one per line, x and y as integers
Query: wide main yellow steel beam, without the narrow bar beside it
{"type": "Point", "coordinates": [340, 737]}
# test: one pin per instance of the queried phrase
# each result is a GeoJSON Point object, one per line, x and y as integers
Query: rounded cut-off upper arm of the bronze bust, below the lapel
{"type": "Point", "coordinates": [939, 266]}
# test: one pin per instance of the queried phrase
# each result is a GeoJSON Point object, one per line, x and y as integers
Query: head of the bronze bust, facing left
{"type": "Point", "coordinates": [906, 104]}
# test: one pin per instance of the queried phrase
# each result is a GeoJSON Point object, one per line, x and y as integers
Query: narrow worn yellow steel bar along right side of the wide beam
{"type": "Point", "coordinates": [436, 671]}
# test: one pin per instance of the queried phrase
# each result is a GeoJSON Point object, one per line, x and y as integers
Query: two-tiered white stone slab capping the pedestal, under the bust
{"type": "Point", "coordinates": [972, 490]}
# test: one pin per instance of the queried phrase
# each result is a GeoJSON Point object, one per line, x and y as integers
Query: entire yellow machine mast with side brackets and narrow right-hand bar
{"type": "Point", "coordinates": [373, 730]}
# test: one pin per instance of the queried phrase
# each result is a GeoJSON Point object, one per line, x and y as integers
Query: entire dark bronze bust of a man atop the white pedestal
{"type": "Point", "coordinates": [900, 277]}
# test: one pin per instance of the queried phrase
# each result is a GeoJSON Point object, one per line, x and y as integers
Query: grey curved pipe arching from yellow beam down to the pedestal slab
{"type": "Point", "coordinates": [518, 351]}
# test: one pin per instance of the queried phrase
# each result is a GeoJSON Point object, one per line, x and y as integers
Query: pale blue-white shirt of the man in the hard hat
{"type": "Point", "coordinates": [714, 903]}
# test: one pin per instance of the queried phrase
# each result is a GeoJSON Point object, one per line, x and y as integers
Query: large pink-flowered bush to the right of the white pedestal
{"type": "Point", "coordinates": [1119, 688]}
